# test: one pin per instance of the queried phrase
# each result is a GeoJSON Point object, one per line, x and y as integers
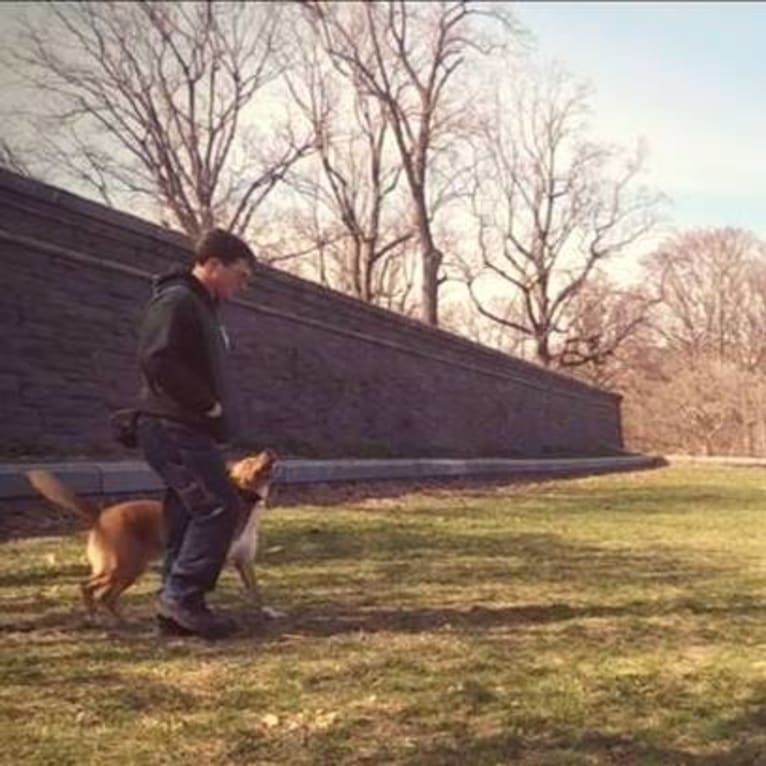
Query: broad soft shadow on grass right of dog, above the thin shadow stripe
{"type": "Point", "coordinates": [415, 555]}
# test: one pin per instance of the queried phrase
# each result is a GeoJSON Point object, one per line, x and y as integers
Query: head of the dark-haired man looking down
{"type": "Point", "coordinates": [223, 263]}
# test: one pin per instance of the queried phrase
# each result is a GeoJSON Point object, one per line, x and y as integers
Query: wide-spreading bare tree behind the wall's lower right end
{"type": "Point", "coordinates": [550, 206]}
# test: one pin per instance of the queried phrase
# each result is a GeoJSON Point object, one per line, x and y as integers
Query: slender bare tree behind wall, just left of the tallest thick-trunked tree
{"type": "Point", "coordinates": [352, 190]}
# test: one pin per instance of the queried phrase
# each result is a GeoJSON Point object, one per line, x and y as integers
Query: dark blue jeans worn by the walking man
{"type": "Point", "coordinates": [201, 506]}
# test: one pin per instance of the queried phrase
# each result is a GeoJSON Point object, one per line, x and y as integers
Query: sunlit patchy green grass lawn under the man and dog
{"type": "Point", "coordinates": [607, 620]}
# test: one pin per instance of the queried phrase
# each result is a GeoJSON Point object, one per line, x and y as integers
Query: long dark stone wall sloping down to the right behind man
{"type": "Point", "coordinates": [321, 374]}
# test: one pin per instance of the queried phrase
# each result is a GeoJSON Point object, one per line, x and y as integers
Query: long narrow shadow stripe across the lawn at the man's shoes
{"type": "Point", "coordinates": [138, 638]}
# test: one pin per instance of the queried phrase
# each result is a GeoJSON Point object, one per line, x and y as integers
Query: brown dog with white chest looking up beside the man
{"type": "Point", "coordinates": [124, 538]}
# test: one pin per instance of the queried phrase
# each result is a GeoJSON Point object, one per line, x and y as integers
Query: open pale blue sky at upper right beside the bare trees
{"type": "Point", "coordinates": [687, 78]}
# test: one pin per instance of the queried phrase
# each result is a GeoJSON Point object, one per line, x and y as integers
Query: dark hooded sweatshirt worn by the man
{"type": "Point", "coordinates": [181, 350]}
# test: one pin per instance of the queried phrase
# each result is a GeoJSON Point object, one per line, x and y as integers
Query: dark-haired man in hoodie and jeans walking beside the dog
{"type": "Point", "coordinates": [186, 414]}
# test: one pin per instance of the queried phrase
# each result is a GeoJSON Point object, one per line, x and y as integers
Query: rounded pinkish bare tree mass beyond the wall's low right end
{"type": "Point", "coordinates": [696, 382]}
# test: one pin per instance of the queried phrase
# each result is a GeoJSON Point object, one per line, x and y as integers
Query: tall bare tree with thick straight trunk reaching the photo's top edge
{"type": "Point", "coordinates": [405, 55]}
